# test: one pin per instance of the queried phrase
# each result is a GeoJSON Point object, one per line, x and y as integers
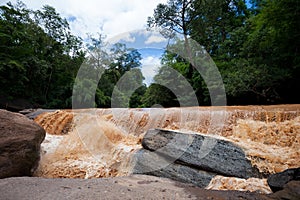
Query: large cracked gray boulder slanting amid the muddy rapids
{"type": "Point", "coordinates": [191, 158]}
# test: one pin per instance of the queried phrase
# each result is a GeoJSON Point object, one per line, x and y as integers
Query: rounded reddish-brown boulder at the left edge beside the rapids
{"type": "Point", "coordinates": [20, 140]}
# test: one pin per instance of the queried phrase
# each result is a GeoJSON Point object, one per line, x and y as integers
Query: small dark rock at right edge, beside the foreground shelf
{"type": "Point", "coordinates": [279, 180]}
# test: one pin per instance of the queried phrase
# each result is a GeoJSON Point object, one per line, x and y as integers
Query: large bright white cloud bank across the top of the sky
{"type": "Point", "coordinates": [111, 17]}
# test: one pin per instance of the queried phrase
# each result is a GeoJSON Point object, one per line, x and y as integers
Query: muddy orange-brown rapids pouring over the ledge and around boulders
{"type": "Point", "coordinates": [94, 143]}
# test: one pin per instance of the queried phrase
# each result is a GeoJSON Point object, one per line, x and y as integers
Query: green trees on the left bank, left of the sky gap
{"type": "Point", "coordinates": [40, 59]}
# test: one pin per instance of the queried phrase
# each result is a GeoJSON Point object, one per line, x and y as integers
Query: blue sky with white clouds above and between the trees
{"type": "Point", "coordinates": [120, 20]}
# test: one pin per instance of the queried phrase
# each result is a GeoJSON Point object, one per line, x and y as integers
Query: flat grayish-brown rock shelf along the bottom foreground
{"type": "Point", "coordinates": [125, 188]}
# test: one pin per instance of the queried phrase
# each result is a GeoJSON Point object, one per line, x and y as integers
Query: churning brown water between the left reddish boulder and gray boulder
{"type": "Point", "coordinates": [107, 148]}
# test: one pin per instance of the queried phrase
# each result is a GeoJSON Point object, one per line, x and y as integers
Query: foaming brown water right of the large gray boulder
{"type": "Point", "coordinates": [271, 146]}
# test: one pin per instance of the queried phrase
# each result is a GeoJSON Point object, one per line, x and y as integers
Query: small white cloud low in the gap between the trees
{"type": "Point", "coordinates": [150, 66]}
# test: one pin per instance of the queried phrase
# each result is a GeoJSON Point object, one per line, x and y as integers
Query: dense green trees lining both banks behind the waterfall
{"type": "Point", "coordinates": [255, 47]}
